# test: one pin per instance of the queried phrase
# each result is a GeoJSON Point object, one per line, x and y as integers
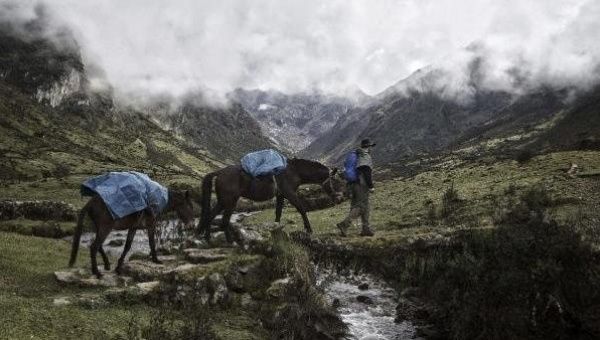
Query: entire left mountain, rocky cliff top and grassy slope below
{"type": "Point", "coordinates": [56, 130]}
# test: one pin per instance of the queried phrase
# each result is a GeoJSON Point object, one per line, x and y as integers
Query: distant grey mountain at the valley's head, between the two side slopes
{"type": "Point", "coordinates": [294, 121]}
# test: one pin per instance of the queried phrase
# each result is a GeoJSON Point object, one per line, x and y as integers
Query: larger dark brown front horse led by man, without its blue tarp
{"type": "Point", "coordinates": [232, 183]}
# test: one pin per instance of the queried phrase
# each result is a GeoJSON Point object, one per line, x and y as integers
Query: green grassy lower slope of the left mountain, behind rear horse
{"type": "Point", "coordinates": [36, 142]}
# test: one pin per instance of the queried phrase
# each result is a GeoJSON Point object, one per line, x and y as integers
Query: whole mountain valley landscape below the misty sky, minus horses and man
{"type": "Point", "coordinates": [485, 209]}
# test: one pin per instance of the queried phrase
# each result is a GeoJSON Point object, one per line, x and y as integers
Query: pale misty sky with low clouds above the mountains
{"type": "Point", "coordinates": [178, 46]}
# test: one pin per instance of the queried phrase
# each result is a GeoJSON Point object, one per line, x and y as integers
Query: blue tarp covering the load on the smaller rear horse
{"type": "Point", "coordinates": [125, 193]}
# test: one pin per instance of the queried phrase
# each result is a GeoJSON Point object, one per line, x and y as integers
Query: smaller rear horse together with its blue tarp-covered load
{"type": "Point", "coordinates": [126, 201]}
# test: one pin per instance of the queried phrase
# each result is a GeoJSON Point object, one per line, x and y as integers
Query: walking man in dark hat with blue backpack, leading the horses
{"type": "Point", "coordinates": [360, 186]}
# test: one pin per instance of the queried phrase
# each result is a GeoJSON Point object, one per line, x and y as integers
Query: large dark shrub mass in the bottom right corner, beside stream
{"type": "Point", "coordinates": [526, 279]}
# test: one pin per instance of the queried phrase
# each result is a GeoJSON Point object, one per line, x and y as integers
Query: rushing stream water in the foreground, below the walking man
{"type": "Point", "coordinates": [373, 319]}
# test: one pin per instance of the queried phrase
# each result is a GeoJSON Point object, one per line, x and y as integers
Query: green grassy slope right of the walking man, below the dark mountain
{"type": "Point", "coordinates": [398, 207]}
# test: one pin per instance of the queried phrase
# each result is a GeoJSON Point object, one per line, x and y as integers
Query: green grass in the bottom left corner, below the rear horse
{"type": "Point", "coordinates": [27, 287]}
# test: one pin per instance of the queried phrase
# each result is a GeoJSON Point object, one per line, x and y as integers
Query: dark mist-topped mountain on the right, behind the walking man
{"type": "Point", "coordinates": [416, 117]}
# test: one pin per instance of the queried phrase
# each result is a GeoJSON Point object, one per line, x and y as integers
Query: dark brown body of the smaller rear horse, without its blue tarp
{"type": "Point", "coordinates": [103, 222]}
